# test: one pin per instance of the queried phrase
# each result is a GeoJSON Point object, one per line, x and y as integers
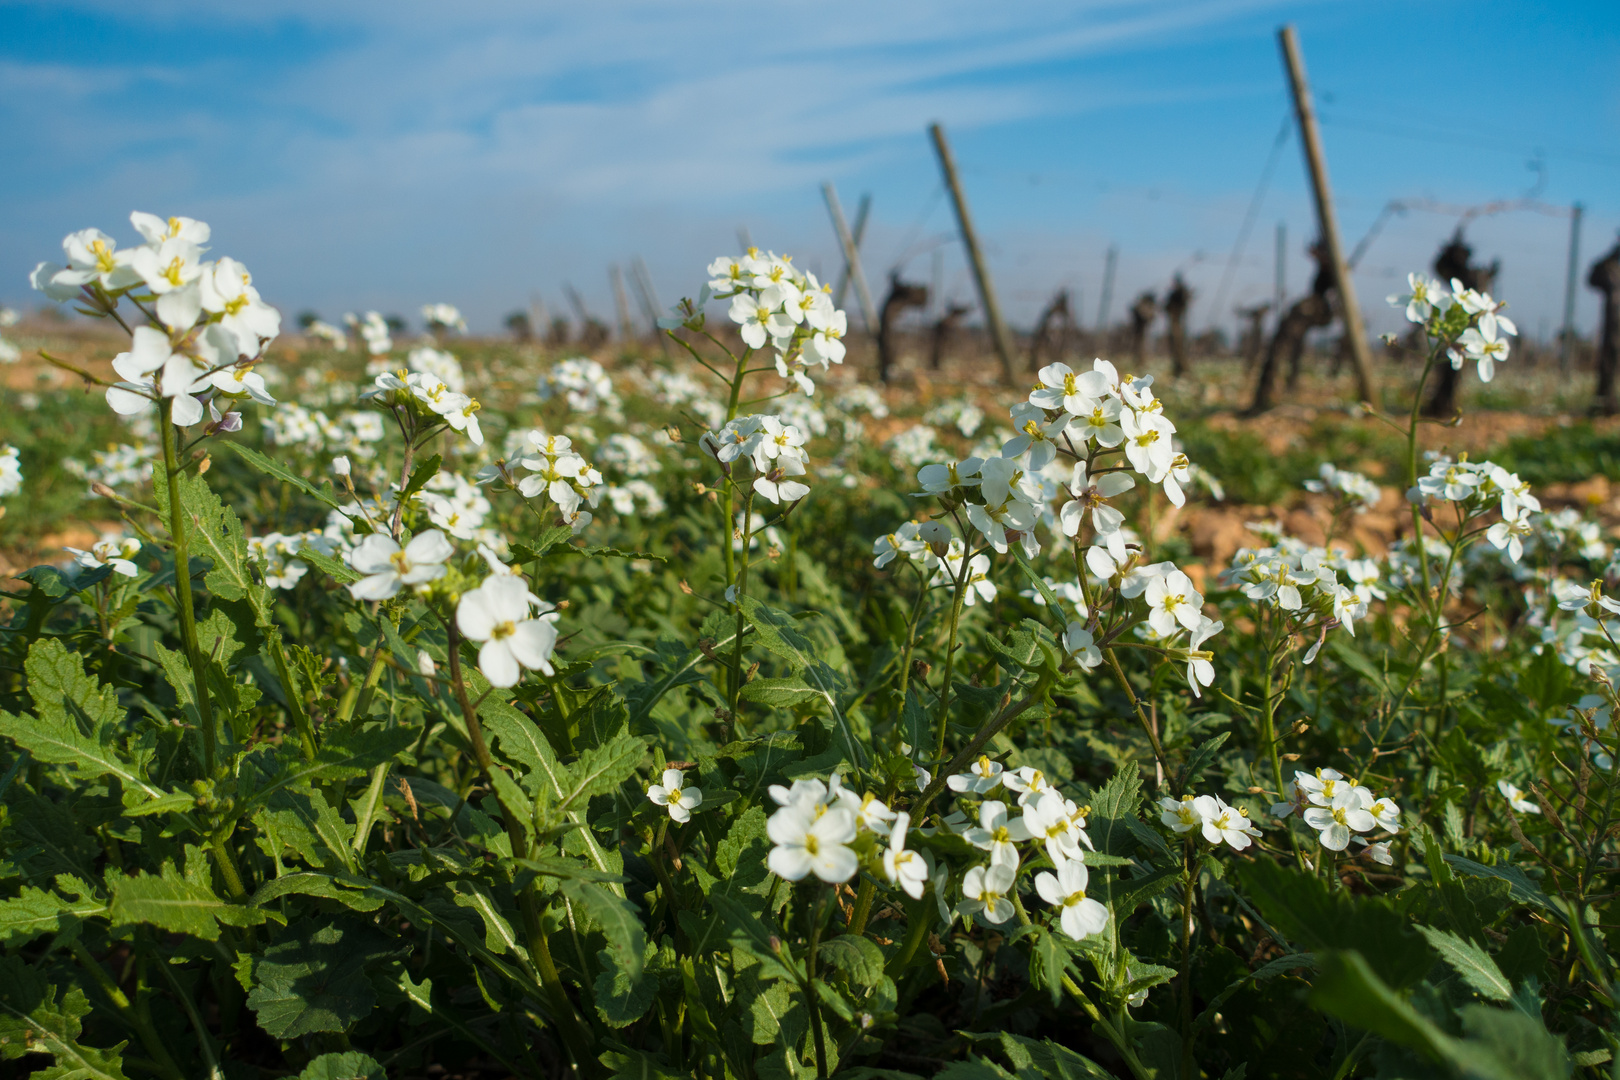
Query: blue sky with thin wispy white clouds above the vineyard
{"type": "Point", "coordinates": [391, 155]}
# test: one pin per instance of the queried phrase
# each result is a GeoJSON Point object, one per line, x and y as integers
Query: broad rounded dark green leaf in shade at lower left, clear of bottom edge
{"type": "Point", "coordinates": [317, 980]}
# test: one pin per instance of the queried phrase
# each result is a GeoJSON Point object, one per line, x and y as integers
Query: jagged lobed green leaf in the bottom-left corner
{"type": "Point", "coordinates": [35, 1023]}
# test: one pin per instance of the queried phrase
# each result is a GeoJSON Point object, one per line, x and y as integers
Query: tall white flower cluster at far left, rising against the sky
{"type": "Point", "coordinates": [208, 326]}
